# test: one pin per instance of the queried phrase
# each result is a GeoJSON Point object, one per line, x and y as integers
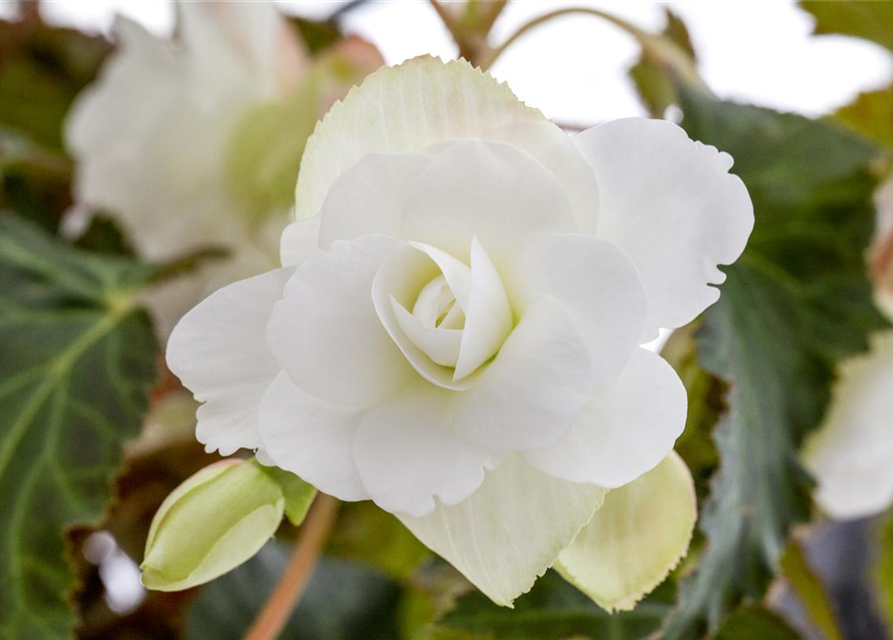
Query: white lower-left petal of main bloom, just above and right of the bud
{"type": "Point", "coordinates": [311, 438]}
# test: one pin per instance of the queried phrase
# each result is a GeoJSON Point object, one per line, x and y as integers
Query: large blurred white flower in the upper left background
{"type": "Point", "coordinates": [159, 139]}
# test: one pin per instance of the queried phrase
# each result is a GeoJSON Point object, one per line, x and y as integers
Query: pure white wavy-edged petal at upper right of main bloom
{"type": "Point", "coordinates": [673, 208]}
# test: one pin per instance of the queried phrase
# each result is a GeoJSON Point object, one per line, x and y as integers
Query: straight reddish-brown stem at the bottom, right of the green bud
{"type": "Point", "coordinates": [294, 578]}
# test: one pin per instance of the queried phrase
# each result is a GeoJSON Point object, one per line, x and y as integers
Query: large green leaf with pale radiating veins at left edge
{"type": "Point", "coordinates": [77, 360]}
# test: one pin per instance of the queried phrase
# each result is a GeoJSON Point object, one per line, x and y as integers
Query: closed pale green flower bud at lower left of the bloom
{"type": "Point", "coordinates": [213, 522]}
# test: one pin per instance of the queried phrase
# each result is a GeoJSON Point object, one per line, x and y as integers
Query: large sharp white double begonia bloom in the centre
{"type": "Point", "coordinates": [455, 333]}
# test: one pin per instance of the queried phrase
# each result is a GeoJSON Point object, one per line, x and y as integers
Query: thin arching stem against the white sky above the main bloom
{"type": "Point", "coordinates": [659, 49]}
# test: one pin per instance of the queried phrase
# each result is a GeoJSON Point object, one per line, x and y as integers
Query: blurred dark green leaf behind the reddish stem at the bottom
{"type": "Point", "coordinates": [343, 601]}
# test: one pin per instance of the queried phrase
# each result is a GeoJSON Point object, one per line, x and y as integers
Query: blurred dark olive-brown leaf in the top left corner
{"type": "Point", "coordinates": [42, 69]}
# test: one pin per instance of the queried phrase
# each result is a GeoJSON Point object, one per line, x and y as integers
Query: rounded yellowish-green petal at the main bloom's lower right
{"type": "Point", "coordinates": [638, 536]}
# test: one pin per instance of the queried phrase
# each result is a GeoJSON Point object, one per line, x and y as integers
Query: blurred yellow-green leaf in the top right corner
{"type": "Point", "coordinates": [868, 19]}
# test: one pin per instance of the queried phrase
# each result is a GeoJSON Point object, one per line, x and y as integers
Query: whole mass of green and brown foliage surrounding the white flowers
{"type": "Point", "coordinates": [79, 370]}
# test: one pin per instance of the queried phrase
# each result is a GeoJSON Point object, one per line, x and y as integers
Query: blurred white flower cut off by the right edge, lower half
{"type": "Point", "coordinates": [850, 456]}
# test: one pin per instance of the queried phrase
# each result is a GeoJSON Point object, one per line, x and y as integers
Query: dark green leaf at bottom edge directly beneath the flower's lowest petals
{"type": "Point", "coordinates": [555, 610]}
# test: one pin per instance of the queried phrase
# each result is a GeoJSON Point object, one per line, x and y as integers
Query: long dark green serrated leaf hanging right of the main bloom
{"type": "Point", "coordinates": [793, 305]}
